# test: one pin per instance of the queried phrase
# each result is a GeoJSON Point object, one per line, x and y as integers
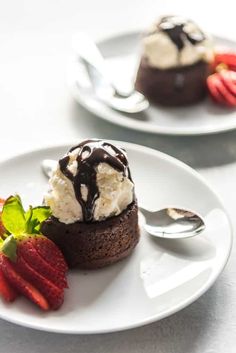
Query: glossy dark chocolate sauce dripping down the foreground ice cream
{"type": "Point", "coordinates": [90, 154]}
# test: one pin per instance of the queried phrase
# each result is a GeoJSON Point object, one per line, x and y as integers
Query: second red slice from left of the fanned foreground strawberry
{"type": "Point", "coordinates": [24, 287]}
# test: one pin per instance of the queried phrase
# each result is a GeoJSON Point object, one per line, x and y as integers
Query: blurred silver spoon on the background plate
{"type": "Point", "coordinates": [91, 57]}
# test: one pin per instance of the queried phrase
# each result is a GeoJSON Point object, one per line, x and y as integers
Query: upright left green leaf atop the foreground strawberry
{"type": "Point", "coordinates": [13, 215]}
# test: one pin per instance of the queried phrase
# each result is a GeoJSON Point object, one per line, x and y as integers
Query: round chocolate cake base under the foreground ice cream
{"type": "Point", "coordinates": [96, 244]}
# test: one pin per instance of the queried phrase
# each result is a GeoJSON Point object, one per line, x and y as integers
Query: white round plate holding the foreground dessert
{"type": "Point", "coordinates": [158, 279]}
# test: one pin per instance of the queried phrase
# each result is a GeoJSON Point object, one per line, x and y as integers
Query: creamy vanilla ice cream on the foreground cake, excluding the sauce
{"type": "Point", "coordinates": [115, 193]}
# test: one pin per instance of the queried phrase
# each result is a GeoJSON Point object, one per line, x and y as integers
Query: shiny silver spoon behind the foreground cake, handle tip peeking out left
{"type": "Point", "coordinates": [169, 223]}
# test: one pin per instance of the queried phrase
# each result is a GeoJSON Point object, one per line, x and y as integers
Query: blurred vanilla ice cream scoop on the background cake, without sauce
{"type": "Point", "coordinates": [161, 52]}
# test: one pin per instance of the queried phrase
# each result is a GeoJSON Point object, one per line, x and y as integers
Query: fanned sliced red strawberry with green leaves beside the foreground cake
{"type": "Point", "coordinates": [30, 263]}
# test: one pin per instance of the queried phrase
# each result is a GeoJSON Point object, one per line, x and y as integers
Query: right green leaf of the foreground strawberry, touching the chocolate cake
{"type": "Point", "coordinates": [35, 216]}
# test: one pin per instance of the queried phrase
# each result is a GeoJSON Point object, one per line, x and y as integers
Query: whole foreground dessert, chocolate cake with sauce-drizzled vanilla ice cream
{"type": "Point", "coordinates": [95, 221]}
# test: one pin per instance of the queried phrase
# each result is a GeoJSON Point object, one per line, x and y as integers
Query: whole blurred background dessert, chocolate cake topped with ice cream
{"type": "Point", "coordinates": [176, 60]}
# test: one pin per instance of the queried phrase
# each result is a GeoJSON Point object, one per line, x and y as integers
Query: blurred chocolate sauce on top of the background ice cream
{"type": "Point", "coordinates": [174, 27]}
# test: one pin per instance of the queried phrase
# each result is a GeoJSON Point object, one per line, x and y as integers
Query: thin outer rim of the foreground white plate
{"type": "Point", "coordinates": [176, 308]}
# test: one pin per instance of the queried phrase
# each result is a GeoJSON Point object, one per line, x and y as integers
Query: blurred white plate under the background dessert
{"type": "Point", "coordinates": [122, 54]}
